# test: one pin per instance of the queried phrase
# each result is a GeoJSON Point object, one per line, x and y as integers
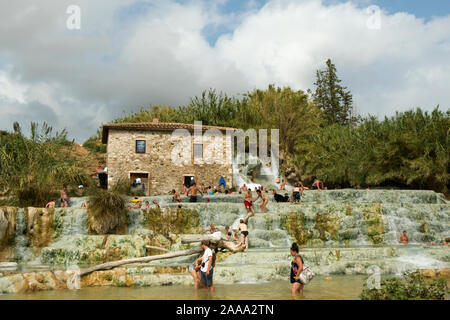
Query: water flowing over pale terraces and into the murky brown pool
{"type": "Point", "coordinates": [350, 230]}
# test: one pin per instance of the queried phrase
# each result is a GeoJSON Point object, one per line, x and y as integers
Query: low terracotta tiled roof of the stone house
{"type": "Point", "coordinates": [153, 126]}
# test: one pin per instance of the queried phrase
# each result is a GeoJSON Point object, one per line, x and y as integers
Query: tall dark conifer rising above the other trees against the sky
{"type": "Point", "coordinates": [335, 100]}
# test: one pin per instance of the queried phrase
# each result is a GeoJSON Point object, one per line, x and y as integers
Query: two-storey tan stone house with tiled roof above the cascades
{"type": "Point", "coordinates": [163, 156]}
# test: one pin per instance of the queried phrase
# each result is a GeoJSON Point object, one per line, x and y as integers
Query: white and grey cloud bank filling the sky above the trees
{"type": "Point", "coordinates": [121, 60]}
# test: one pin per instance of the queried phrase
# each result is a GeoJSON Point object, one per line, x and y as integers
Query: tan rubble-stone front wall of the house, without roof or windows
{"type": "Point", "coordinates": [161, 148]}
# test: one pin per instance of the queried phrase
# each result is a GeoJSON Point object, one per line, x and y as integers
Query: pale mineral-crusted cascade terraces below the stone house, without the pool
{"type": "Point", "coordinates": [362, 225]}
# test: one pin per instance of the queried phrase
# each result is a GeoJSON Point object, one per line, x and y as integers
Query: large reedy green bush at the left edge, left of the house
{"type": "Point", "coordinates": [32, 170]}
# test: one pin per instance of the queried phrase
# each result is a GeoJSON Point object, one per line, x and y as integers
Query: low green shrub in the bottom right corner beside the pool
{"type": "Point", "coordinates": [412, 286]}
